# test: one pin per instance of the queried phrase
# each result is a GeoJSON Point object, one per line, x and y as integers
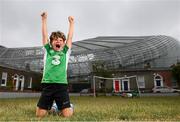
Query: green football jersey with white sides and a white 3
{"type": "Point", "coordinates": [55, 65]}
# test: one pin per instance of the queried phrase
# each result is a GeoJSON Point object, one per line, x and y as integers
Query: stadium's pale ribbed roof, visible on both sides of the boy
{"type": "Point", "coordinates": [98, 43]}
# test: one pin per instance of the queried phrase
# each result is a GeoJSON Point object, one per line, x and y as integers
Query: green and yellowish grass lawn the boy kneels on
{"type": "Point", "coordinates": [98, 109]}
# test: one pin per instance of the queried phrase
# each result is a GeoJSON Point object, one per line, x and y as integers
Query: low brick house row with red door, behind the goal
{"type": "Point", "coordinates": [132, 79]}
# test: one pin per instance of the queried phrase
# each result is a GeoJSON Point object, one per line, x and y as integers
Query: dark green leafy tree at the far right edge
{"type": "Point", "coordinates": [176, 72]}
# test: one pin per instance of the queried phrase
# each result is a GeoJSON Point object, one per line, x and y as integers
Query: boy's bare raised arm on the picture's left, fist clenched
{"type": "Point", "coordinates": [44, 28]}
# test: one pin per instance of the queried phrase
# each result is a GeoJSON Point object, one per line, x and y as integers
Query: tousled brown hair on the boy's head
{"type": "Point", "coordinates": [57, 34]}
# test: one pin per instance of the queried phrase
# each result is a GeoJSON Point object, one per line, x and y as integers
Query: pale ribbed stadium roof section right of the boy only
{"type": "Point", "coordinates": [104, 42]}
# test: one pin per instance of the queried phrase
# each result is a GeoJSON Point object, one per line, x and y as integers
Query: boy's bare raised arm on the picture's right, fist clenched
{"type": "Point", "coordinates": [71, 31]}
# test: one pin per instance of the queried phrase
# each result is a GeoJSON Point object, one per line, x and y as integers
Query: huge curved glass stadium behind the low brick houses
{"type": "Point", "coordinates": [115, 51]}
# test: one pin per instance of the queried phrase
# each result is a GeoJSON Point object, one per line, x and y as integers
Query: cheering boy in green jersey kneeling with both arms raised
{"type": "Point", "coordinates": [54, 81]}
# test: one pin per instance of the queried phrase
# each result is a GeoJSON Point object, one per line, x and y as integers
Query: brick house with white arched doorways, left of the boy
{"type": "Point", "coordinates": [13, 79]}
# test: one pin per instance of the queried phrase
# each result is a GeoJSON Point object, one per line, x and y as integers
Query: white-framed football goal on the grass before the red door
{"type": "Point", "coordinates": [117, 85]}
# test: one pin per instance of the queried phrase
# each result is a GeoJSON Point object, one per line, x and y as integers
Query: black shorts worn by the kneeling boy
{"type": "Point", "coordinates": [54, 92]}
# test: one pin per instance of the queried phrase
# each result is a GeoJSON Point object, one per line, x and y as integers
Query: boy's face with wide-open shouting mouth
{"type": "Point", "coordinates": [58, 44]}
